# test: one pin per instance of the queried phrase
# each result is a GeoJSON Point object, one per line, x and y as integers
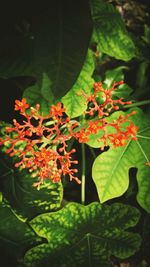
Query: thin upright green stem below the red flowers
{"type": "Point", "coordinates": [83, 175]}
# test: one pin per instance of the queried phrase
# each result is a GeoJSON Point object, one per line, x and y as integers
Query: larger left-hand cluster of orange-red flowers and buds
{"type": "Point", "coordinates": [41, 143]}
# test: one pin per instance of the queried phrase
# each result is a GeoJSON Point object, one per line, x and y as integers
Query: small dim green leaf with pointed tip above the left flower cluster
{"type": "Point", "coordinates": [40, 94]}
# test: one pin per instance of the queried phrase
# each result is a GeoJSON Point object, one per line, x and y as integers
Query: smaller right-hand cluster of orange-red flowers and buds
{"type": "Point", "coordinates": [98, 118]}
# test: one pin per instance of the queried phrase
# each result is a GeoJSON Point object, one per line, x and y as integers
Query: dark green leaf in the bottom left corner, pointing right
{"type": "Point", "coordinates": [15, 237]}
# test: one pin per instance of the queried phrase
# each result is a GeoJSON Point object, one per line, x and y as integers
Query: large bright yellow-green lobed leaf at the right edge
{"type": "Point", "coordinates": [111, 169]}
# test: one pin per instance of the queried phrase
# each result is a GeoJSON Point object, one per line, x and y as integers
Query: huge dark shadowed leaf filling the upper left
{"type": "Point", "coordinates": [50, 42]}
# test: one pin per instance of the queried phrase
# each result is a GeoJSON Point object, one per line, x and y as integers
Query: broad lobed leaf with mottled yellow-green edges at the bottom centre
{"type": "Point", "coordinates": [84, 235]}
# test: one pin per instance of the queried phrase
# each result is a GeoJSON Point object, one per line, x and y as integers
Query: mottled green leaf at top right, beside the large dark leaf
{"type": "Point", "coordinates": [110, 32]}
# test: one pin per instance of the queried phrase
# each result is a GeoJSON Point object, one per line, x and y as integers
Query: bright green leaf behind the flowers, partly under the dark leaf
{"type": "Point", "coordinates": [74, 103]}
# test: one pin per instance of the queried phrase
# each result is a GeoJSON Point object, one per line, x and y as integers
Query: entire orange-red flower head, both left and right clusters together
{"type": "Point", "coordinates": [40, 142]}
